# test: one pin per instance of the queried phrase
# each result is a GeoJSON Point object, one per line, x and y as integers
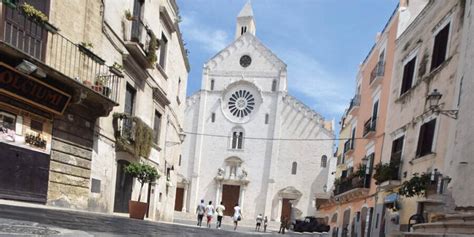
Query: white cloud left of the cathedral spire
{"type": "Point", "coordinates": [209, 39]}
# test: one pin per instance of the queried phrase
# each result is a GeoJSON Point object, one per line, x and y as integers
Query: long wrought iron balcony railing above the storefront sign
{"type": "Point", "coordinates": [70, 59]}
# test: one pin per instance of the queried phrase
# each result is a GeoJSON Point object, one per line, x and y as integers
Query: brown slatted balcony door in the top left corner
{"type": "Point", "coordinates": [22, 32]}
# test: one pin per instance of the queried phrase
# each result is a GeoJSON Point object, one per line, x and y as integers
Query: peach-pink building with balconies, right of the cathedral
{"type": "Point", "coordinates": [353, 208]}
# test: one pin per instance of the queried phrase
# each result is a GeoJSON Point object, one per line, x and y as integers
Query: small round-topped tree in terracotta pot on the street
{"type": "Point", "coordinates": [145, 174]}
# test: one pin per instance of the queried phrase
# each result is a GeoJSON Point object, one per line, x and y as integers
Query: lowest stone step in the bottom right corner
{"type": "Point", "coordinates": [445, 227]}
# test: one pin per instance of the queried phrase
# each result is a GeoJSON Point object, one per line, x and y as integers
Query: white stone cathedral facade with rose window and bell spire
{"type": "Point", "coordinates": [248, 141]}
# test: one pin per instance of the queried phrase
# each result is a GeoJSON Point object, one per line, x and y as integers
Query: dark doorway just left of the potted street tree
{"type": "Point", "coordinates": [123, 188]}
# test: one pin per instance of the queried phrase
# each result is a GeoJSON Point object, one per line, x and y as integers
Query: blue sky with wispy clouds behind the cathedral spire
{"type": "Point", "coordinates": [322, 41]}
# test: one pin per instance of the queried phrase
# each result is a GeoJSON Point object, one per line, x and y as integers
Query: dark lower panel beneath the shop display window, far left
{"type": "Point", "coordinates": [24, 174]}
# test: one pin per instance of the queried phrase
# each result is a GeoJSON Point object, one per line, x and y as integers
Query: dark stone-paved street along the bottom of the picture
{"type": "Point", "coordinates": [28, 221]}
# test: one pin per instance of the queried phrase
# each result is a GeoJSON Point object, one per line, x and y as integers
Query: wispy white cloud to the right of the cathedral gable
{"type": "Point", "coordinates": [329, 94]}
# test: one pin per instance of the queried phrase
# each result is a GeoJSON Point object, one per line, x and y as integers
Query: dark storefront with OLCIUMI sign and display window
{"type": "Point", "coordinates": [27, 109]}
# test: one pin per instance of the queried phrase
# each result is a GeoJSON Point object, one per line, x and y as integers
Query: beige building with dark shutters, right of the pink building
{"type": "Point", "coordinates": [426, 62]}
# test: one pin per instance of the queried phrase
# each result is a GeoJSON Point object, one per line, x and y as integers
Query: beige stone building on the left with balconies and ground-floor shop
{"type": "Point", "coordinates": [106, 70]}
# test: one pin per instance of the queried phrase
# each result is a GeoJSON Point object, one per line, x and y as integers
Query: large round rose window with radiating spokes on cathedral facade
{"type": "Point", "coordinates": [241, 103]}
